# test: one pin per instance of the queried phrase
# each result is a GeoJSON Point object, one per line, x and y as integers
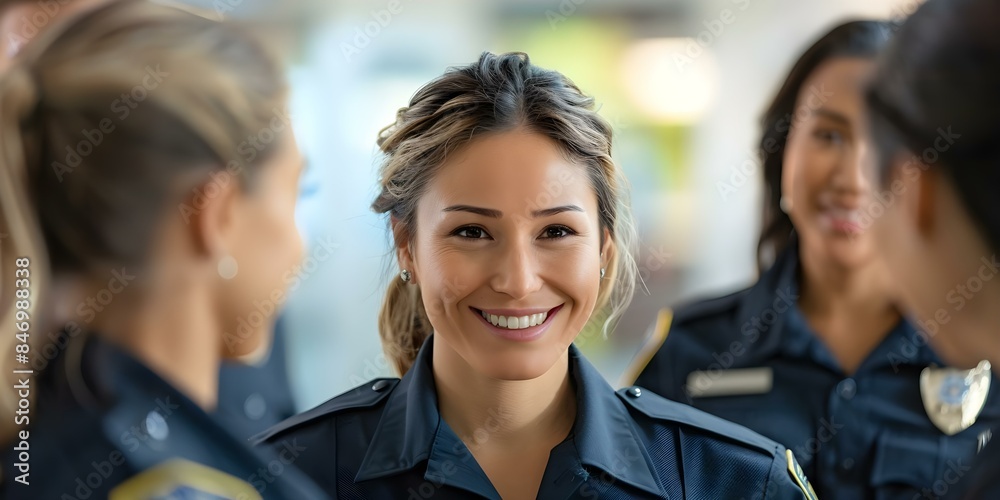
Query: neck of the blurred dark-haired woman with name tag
{"type": "Point", "coordinates": [850, 308]}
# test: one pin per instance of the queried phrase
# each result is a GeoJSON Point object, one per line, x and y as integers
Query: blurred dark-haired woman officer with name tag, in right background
{"type": "Point", "coordinates": [816, 355]}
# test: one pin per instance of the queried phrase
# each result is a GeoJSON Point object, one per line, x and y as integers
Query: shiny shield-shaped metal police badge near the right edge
{"type": "Point", "coordinates": [953, 398]}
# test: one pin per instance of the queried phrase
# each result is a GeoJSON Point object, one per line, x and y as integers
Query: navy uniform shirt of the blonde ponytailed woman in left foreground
{"type": "Point", "coordinates": [105, 426]}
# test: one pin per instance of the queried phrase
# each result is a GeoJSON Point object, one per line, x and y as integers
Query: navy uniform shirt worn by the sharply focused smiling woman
{"type": "Point", "coordinates": [386, 439]}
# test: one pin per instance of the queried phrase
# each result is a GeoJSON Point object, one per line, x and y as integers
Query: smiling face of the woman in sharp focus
{"type": "Point", "coordinates": [508, 260]}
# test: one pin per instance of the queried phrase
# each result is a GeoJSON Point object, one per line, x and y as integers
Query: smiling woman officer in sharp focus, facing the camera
{"type": "Point", "coordinates": [506, 210]}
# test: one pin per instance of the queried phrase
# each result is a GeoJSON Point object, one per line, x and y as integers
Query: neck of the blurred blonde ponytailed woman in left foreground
{"type": "Point", "coordinates": [174, 335]}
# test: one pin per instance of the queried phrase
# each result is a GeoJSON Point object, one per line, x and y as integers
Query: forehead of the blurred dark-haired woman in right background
{"type": "Point", "coordinates": [837, 83]}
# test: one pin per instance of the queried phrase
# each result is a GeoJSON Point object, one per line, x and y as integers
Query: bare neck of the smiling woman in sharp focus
{"type": "Point", "coordinates": [503, 414]}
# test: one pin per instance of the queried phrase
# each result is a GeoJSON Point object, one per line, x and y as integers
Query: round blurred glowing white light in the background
{"type": "Point", "coordinates": [670, 80]}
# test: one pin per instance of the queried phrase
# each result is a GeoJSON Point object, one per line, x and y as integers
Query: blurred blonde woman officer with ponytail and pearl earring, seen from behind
{"type": "Point", "coordinates": [121, 188]}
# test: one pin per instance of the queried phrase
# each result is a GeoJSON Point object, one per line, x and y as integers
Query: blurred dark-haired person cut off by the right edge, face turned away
{"type": "Point", "coordinates": [932, 106]}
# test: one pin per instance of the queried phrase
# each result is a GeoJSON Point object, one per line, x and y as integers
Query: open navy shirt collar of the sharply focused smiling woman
{"type": "Point", "coordinates": [411, 431]}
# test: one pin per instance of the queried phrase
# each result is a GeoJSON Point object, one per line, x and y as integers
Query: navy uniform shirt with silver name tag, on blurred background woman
{"type": "Point", "coordinates": [751, 358]}
